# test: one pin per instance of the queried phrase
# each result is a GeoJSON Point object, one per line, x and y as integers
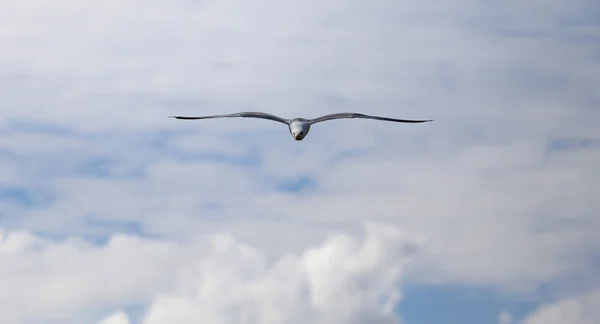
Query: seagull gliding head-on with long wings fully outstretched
{"type": "Point", "coordinates": [299, 127]}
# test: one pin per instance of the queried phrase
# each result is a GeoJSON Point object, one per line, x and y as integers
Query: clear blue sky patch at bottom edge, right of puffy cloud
{"type": "Point", "coordinates": [456, 305]}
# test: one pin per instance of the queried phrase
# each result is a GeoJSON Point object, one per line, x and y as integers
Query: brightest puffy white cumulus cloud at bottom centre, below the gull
{"type": "Point", "coordinates": [341, 281]}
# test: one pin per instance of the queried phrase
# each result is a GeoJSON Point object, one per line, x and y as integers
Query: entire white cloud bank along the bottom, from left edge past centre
{"type": "Point", "coordinates": [345, 279]}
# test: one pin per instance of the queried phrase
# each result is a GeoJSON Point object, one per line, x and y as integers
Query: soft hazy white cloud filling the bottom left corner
{"type": "Point", "coordinates": [56, 281]}
